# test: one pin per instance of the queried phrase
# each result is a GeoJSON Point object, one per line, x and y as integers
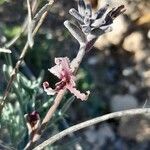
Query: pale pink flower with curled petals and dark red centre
{"type": "Point", "coordinates": [64, 72]}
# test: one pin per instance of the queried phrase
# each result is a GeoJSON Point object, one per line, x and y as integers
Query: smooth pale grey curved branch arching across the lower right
{"type": "Point", "coordinates": [90, 122]}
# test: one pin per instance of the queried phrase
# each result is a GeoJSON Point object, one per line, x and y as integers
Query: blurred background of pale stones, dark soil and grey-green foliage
{"type": "Point", "coordinates": [116, 71]}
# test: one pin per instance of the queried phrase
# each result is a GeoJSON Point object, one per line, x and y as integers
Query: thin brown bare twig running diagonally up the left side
{"type": "Point", "coordinates": [15, 70]}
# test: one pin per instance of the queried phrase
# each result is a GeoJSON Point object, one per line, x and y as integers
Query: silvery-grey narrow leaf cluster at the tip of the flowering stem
{"type": "Point", "coordinates": [90, 25]}
